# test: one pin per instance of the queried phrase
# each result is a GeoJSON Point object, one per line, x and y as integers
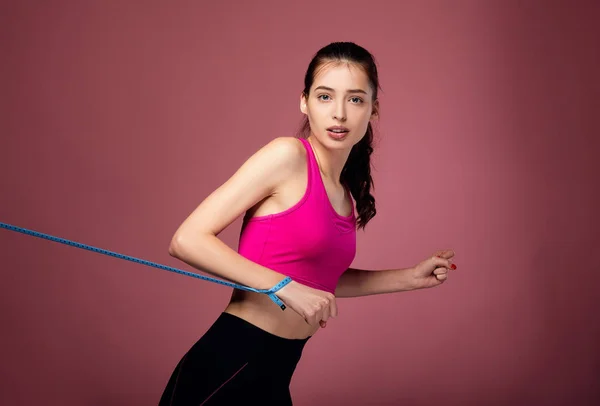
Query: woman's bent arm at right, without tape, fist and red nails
{"type": "Point", "coordinates": [429, 273]}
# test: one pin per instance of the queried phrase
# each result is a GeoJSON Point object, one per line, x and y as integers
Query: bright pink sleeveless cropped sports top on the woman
{"type": "Point", "coordinates": [309, 242]}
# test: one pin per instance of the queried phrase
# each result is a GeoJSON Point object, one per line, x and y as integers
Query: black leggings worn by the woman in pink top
{"type": "Point", "coordinates": [235, 362]}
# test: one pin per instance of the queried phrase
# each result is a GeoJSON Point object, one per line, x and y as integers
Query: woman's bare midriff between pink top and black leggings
{"type": "Point", "coordinates": [259, 310]}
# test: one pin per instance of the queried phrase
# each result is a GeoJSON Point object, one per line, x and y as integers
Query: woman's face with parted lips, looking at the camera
{"type": "Point", "coordinates": [340, 96]}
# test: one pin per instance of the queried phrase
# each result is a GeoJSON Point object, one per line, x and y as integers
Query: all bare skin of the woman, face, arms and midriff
{"type": "Point", "coordinates": [275, 179]}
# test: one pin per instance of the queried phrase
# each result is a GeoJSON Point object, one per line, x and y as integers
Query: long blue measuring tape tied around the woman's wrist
{"type": "Point", "coordinates": [269, 292]}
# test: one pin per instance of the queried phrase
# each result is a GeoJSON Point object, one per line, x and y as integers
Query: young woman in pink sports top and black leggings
{"type": "Point", "coordinates": [300, 221]}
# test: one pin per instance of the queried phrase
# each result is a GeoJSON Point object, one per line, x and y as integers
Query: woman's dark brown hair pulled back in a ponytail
{"type": "Point", "coordinates": [356, 174]}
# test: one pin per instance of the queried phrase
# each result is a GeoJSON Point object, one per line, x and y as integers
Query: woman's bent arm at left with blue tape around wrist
{"type": "Point", "coordinates": [196, 243]}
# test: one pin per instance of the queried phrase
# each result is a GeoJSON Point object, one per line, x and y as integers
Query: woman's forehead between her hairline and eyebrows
{"type": "Point", "coordinates": [342, 76]}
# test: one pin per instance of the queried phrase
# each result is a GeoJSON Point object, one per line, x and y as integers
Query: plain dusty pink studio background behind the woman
{"type": "Point", "coordinates": [117, 119]}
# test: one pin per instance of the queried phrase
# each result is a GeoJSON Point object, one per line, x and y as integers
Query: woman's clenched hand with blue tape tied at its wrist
{"type": "Point", "coordinates": [315, 306]}
